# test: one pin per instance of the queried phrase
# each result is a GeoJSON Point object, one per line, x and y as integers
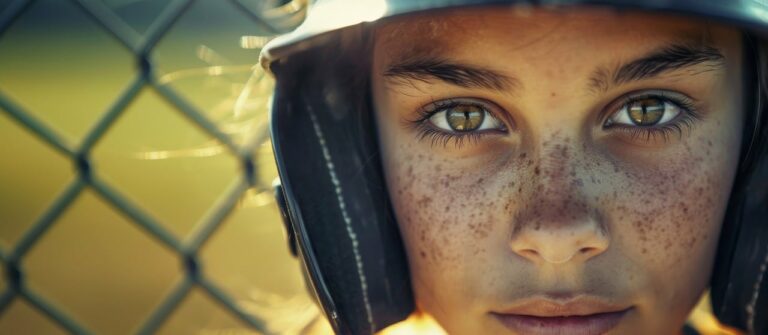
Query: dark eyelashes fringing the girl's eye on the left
{"type": "Point", "coordinates": [443, 138]}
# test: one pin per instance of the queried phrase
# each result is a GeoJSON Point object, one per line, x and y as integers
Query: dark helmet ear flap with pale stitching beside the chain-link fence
{"type": "Point", "coordinates": [335, 195]}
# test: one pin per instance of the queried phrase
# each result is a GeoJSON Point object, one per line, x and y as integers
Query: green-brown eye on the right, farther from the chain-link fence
{"type": "Point", "coordinates": [646, 112]}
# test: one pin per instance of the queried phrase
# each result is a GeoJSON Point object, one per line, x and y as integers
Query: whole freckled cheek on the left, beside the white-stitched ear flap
{"type": "Point", "coordinates": [446, 215]}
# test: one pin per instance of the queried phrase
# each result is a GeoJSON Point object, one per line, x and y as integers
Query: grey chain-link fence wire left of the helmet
{"type": "Point", "coordinates": [141, 46]}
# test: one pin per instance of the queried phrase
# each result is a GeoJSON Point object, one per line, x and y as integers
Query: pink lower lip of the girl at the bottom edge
{"type": "Point", "coordinates": [593, 324]}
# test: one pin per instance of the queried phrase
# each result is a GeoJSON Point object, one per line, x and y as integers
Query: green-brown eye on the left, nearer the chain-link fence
{"type": "Point", "coordinates": [463, 118]}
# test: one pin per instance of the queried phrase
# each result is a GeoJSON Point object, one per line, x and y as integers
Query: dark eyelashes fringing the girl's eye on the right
{"type": "Point", "coordinates": [683, 122]}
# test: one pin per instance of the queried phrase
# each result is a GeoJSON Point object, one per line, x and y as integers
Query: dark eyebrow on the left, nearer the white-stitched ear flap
{"type": "Point", "coordinates": [469, 76]}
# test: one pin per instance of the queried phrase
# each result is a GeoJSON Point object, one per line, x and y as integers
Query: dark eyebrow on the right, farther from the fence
{"type": "Point", "coordinates": [670, 58]}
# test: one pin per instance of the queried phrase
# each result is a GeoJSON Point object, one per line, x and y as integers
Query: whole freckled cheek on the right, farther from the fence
{"type": "Point", "coordinates": [667, 215]}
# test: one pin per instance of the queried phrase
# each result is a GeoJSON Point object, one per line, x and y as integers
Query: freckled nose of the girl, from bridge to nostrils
{"type": "Point", "coordinates": [556, 222]}
